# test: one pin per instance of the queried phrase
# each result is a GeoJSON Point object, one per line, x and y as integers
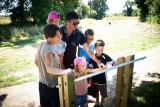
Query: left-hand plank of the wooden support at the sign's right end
{"type": "Point", "coordinates": [119, 84]}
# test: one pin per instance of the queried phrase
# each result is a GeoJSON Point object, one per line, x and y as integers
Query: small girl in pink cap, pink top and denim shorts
{"type": "Point", "coordinates": [81, 86]}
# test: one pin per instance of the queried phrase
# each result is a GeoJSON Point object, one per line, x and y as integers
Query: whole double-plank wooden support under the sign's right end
{"type": "Point", "coordinates": [124, 83]}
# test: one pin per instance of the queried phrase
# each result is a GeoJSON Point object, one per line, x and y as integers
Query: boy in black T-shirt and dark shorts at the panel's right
{"type": "Point", "coordinates": [99, 81]}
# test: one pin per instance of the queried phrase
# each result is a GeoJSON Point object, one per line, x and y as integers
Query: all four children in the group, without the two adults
{"type": "Point", "coordinates": [83, 64]}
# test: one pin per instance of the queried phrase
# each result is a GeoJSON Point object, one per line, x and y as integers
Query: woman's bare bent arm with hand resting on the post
{"type": "Point", "coordinates": [53, 70]}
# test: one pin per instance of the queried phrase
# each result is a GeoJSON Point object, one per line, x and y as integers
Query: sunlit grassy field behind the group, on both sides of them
{"type": "Point", "coordinates": [124, 36]}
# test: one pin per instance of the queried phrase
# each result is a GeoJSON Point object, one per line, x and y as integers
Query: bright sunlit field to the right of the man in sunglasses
{"type": "Point", "coordinates": [125, 35]}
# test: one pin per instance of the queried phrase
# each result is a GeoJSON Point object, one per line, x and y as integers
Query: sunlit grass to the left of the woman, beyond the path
{"type": "Point", "coordinates": [16, 62]}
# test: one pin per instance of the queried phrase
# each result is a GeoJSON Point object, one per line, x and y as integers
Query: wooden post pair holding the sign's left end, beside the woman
{"type": "Point", "coordinates": [67, 91]}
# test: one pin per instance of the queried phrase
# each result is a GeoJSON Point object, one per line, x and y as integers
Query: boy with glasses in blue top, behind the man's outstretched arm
{"type": "Point", "coordinates": [89, 35]}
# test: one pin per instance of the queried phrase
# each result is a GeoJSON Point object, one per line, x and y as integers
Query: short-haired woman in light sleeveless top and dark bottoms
{"type": "Point", "coordinates": [49, 69]}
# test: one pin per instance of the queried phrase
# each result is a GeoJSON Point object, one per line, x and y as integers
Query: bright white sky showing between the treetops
{"type": "Point", "coordinates": [115, 6]}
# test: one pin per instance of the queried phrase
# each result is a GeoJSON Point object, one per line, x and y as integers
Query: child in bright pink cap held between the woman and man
{"type": "Point", "coordinates": [53, 18]}
